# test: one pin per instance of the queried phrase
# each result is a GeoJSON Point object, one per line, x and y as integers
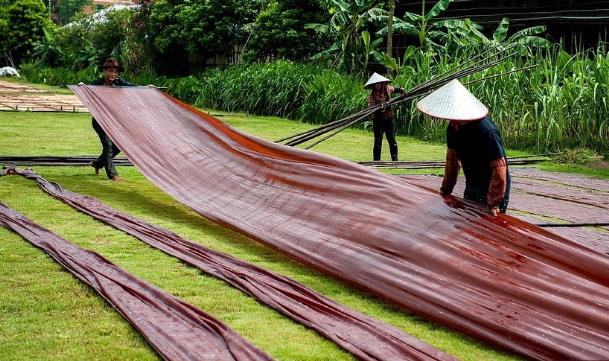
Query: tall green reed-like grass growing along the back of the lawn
{"type": "Point", "coordinates": [562, 103]}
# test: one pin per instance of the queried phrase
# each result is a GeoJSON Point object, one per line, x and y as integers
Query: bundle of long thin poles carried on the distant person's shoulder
{"type": "Point", "coordinates": [482, 61]}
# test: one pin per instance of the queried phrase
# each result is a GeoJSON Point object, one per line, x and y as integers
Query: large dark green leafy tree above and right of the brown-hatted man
{"type": "Point", "coordinates": [176, 31]}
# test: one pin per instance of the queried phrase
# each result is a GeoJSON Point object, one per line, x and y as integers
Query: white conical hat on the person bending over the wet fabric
{"type": "Point", "coordinates": [453, 102]}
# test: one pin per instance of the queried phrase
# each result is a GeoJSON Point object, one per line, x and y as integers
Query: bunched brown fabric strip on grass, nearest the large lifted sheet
{"type": "Point", "coordinates": [365, 337]}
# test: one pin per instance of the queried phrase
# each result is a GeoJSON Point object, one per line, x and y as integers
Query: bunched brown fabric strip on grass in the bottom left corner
{"type": "Point", "coordinates": [174, 328]}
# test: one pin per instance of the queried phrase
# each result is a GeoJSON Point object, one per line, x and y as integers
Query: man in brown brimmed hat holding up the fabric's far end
{"type": "Point", "coordinates": [111, 70]}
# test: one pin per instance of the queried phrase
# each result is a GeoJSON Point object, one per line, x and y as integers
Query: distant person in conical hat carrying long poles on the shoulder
{"type": "Point", "coordinates": [383, 121]}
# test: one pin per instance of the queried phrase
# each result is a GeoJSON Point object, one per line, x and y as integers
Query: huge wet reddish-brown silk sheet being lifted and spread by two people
{"type": "Point", "coordinates": [500, 279]}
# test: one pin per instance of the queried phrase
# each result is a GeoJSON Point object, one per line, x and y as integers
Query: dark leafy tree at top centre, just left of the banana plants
{"type": "Point", "coordinates": [279, 31]}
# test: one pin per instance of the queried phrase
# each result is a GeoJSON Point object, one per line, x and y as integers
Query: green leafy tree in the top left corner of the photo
{"type": "Point", "coordinates": [21, 27]}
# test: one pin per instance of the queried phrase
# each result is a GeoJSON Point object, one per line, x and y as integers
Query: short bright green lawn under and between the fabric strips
{"type": "Point", "coordinates": [46, 314]}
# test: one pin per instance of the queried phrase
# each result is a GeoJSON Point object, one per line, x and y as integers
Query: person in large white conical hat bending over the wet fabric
{"type": "Point", "coordinates": [474, 142]}
